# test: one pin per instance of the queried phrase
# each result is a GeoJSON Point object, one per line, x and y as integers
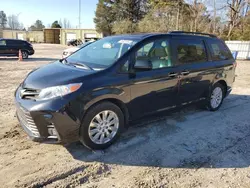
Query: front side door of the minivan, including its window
{"type": "Point", "coordinates": [156, 89]}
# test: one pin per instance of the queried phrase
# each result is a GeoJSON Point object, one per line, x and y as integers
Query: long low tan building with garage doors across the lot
{"type": "Point", "coordinates": [52, 35]}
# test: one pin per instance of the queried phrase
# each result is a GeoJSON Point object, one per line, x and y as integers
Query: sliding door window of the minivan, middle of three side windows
{"type": "Point", "coordinates": [190, 51]}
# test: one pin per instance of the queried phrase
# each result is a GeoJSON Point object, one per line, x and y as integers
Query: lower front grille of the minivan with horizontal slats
{"type": "Point", "coordinates": [27, 121]}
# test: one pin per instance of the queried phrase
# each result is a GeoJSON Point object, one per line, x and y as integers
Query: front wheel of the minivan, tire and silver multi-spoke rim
{"type": "Point", "coordinates": [94, 123]}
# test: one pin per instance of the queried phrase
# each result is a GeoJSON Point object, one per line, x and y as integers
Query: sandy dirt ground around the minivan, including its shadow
{"type": "Point", "coordinates": [187, 148]}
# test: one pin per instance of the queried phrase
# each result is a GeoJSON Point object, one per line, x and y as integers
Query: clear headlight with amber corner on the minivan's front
{"type": "Point", "coordinates": [58, 91]}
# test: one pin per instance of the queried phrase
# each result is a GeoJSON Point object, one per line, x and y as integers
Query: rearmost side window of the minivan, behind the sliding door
{"type": "Point", "coordinates": [219, 50]}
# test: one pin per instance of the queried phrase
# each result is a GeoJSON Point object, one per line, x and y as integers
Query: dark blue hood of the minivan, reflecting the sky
{"type": "Point", "coordinates": [54, 74]}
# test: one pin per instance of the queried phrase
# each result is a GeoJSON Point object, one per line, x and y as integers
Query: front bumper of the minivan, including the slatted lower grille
{"type": "Point", "coordinates": [47, 120]}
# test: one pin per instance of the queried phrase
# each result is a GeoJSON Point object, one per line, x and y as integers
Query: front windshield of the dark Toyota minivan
{"type": "Point", "coordinates": [102, 53]}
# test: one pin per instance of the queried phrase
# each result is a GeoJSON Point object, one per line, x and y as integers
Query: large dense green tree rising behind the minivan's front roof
{"type": "Point", "coordinates": [110, 15]}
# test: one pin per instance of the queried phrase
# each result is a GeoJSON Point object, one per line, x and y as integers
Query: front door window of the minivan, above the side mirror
{"type": "Point", "coordinates": [157, 52]}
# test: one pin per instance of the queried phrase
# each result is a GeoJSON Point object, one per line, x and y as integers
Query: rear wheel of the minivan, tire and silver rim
{"type": "Point", "coordinates": [216, 97]}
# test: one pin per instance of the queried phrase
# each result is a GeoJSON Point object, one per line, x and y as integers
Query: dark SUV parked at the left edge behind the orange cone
{"type": "Point", "coordinates": [11, 47]}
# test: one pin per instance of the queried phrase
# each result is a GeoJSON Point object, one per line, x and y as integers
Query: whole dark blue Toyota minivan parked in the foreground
{"type": "Point", "coordinates": [93, 94]}
